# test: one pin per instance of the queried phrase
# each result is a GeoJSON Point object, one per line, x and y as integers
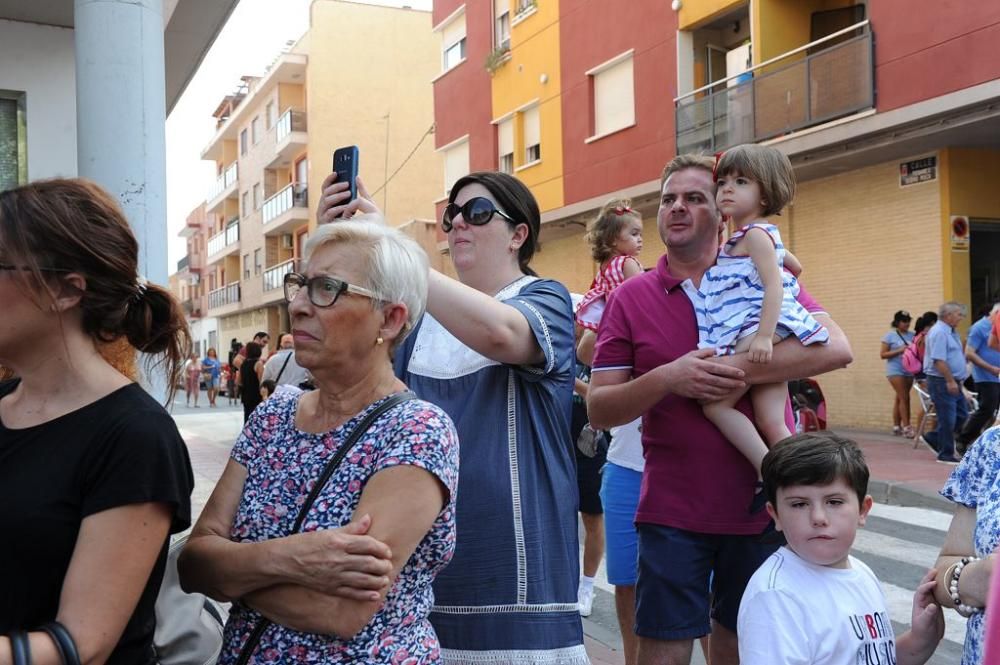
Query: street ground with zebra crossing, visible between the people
{"type": "Point", "coordinates": [900, 541]}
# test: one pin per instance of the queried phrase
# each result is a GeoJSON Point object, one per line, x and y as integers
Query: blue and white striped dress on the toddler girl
{"type": "Point", "coordinates": [728, 301]}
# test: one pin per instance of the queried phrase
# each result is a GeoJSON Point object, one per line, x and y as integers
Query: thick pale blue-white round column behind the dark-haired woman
{"type": "Point", "coordinates": [121, 115]}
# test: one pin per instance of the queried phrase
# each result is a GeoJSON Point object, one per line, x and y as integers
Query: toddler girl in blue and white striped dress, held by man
{"type": "Point", "coordinates": [747, 301]}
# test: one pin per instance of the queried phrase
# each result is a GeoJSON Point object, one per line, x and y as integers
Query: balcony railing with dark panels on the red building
{"type": "Point", "coordinates": [831, 78]}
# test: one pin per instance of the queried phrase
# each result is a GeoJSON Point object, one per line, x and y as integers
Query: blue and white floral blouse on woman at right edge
{"type": "Point", "coordinates": [975, 483]}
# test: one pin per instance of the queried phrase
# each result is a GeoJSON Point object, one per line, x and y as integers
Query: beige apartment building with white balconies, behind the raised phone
{"type": "Point", "coordinates": [275, 139]}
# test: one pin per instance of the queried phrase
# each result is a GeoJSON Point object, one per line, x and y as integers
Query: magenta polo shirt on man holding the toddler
{"type": "Point", "coordinates": [694, 478]}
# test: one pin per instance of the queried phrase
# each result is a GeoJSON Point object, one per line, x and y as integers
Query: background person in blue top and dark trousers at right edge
{"type": "Point", "coordinates": [986, 373]}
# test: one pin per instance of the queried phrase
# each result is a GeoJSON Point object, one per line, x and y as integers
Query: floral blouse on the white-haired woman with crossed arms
{"type": "Point", "coordinates": [283, 463]}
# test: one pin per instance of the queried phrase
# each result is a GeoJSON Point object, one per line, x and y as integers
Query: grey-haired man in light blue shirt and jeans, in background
{"type": "Point", "coordinates": [944, 365]}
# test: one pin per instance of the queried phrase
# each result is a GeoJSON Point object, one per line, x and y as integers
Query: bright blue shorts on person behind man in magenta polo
{"type": "Point", "coordinates": [620, 496]}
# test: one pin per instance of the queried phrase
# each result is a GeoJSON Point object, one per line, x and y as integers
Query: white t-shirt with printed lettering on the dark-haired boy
{"type": "Point", "coordinates": [798, 613]}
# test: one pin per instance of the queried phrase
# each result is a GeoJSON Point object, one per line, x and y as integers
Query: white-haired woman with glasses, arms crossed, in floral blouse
{"type": "Point", "coordinates": [350, 581]}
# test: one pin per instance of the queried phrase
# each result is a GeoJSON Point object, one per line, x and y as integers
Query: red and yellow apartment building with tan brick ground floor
{"type": "Point", "coordinates": [893, 146]}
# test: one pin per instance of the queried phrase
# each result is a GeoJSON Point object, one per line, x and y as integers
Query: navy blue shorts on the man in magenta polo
{"type": "Point", "coordinates": [676, 567]}
